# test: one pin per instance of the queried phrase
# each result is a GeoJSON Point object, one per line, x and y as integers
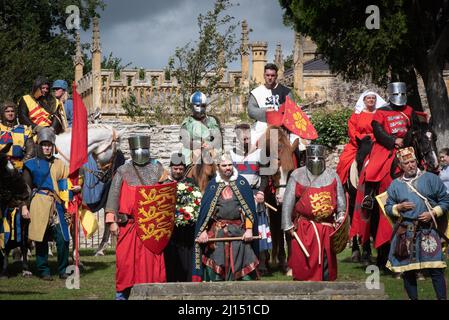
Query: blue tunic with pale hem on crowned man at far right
{"type": "Point", "coordinates": [424, 243]}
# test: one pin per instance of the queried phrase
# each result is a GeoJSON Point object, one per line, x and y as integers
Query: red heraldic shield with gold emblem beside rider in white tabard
{"type": "Point", "coordinates": [297, 122]}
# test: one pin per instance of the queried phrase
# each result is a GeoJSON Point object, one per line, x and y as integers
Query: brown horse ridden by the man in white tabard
{"type": "Point", "coordinates": [279, 155]}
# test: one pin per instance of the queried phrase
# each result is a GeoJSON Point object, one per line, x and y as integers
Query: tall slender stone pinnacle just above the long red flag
{"type": "Point", "coordinates": [96, 66]}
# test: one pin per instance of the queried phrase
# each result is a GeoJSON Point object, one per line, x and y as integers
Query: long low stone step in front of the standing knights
{"type": "Point", "coordinates": [257, 290]}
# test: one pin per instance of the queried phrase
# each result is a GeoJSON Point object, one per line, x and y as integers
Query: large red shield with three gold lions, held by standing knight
{"type": "Point", "coordinates": [155, 215]}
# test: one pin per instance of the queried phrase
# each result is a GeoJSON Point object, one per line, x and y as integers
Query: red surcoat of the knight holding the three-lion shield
{"type": "Point", "coordinates": [135, 263]}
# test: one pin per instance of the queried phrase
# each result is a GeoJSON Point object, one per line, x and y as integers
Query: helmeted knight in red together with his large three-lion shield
{"type": "Point", "coordinates": [142, 212]}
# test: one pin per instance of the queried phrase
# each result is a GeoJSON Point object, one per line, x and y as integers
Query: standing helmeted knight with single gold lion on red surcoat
{"type": "Point", "coordinates": [314, 208]}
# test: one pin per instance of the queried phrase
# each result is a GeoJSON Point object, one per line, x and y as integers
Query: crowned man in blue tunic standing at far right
{"type": "Point", "coordinates": [416, 201]}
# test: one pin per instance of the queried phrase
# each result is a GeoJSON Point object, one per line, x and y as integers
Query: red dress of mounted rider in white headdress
{"type": "Point", "coordinates": [359, 126]}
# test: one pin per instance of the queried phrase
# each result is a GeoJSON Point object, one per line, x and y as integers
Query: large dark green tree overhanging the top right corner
{"type": "Point", "coordinates": [413, 39]}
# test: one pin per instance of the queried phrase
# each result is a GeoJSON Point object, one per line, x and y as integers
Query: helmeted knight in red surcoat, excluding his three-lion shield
{"type": "Point", "coordinates": [134, 261]}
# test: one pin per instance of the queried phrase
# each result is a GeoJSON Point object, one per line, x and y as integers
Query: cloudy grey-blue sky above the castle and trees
{"type": "Point", "coordinates": [146, 33]}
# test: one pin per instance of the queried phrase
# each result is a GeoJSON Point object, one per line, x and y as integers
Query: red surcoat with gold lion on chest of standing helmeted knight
{"type": "Point", "coordinates": [315, 206]}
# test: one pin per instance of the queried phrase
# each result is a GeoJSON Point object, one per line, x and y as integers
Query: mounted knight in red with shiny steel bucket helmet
{"type": "Point", "coordinates": [392, 125]}
